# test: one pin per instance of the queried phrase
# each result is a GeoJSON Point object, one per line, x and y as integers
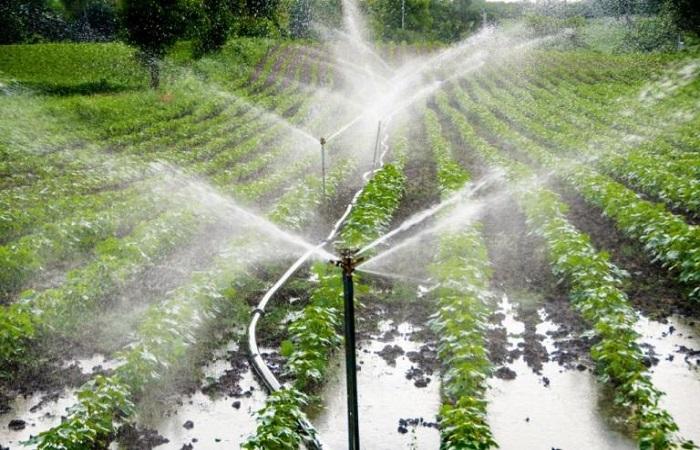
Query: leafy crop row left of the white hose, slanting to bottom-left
{"type": "Point", "coordinates": [165, 338]}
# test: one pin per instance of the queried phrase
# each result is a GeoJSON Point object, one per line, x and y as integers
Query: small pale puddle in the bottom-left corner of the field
{"type": "Point", "coordinates": [38, 417]}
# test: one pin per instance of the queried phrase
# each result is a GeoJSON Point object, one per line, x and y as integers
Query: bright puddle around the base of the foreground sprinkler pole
{"type": "Point", "coordinates": [384, 396]}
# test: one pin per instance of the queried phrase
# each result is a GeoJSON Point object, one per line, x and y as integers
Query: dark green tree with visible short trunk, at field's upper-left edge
{"type": "Point", "coordinates": [153, 26]}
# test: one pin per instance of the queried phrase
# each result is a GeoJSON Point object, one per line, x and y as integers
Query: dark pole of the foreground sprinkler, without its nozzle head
{"type": "Point", "coordinates": [350, 363]}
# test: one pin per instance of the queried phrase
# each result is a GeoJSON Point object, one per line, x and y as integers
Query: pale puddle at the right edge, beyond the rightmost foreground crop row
{"type": "Point", "coordinates": [678, 378]}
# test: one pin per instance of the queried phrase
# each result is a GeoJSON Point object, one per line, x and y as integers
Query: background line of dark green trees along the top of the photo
{"type": "Point", "coordinates": [152, 26]}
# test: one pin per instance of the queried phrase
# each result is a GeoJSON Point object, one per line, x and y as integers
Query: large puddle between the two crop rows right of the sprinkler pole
{"type": "Point", "coordinates": [525, 413]}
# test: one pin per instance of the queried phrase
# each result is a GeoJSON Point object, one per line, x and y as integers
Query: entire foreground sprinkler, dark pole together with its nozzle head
{"type": "Point", "coordinates": [348, 262]}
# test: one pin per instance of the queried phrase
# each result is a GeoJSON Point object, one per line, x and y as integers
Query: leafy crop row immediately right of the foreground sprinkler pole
{"type": "Point", "coordinates": [462, 268]}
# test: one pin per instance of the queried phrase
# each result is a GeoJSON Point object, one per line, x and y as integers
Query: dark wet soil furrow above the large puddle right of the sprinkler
{"type": "Point", "coordinates": [520, 270]}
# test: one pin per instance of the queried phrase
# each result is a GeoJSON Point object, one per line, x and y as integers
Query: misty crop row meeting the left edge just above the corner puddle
{"type": "Point", "coordinates": [60, 311]}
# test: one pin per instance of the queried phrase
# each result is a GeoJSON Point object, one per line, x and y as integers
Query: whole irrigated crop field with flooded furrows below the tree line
{"type": "Point", "coordinates": [551, 302]}
